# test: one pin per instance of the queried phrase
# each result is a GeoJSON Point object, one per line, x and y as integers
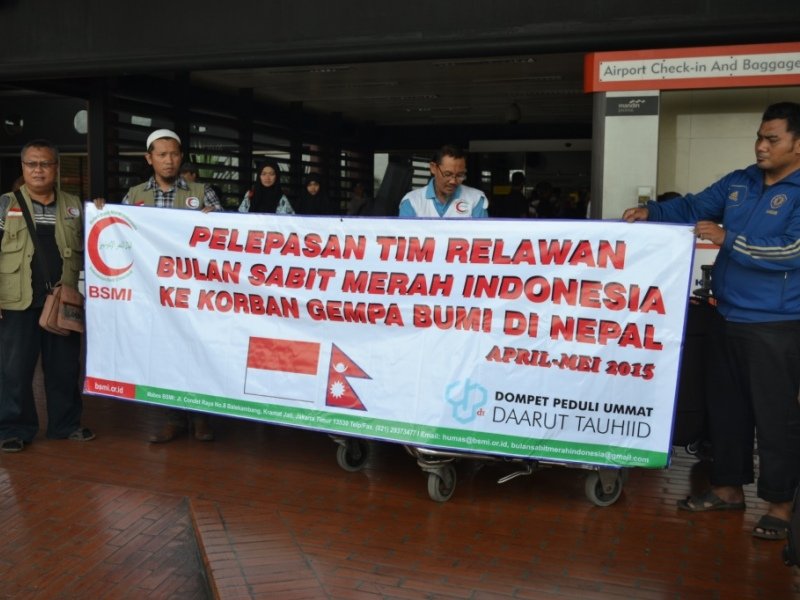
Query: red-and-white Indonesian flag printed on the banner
{"type": "Point", "coordinates": [285, 369]}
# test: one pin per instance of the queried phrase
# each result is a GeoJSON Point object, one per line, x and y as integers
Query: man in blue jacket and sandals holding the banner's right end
{"type": "Point", "coordinates": [753, 215]}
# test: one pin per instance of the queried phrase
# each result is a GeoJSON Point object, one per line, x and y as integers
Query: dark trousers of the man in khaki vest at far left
{"type": "Point", "coordinates": [22, 341]}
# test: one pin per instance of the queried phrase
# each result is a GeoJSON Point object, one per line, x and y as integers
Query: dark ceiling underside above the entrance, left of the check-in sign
{"type": "Point", "coordinates": [526, 89]}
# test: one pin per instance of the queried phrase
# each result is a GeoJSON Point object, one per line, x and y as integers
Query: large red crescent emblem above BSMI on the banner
{"type": "Point", "coordinates": [108, 246]}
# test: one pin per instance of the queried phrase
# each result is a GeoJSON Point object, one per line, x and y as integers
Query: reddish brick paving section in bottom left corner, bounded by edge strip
{"type": "Point", "coordinates": [66, 538]}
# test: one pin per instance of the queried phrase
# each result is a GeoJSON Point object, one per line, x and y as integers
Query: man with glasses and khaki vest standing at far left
{"type": "Point", "coordinates": [28, 268]}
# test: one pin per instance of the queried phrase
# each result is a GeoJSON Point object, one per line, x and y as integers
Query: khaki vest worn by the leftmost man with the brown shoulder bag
{"type": "Point", "coordinates": [16, 251]}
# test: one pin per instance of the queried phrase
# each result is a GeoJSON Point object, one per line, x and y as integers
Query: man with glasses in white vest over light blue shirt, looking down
{"type": "Point", "coordinates": [445, 195]}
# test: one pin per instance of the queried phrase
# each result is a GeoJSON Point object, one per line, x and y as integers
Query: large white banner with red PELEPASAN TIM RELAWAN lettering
{"type": "Point", "coordinates": [557, 340]}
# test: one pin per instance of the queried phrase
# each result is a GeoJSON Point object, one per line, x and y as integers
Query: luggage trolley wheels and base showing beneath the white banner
{"type": "Point", "coordinates": [603, 485]}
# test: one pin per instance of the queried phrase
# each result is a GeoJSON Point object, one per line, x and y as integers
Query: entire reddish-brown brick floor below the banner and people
{"type": "Point", "coordinates": [265, 512]}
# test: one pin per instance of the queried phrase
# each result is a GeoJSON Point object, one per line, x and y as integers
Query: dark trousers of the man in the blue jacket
{"type": "Point", "coordinates": [754, 381]}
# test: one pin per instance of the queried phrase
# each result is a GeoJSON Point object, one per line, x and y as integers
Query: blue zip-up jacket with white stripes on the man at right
{"type": "Point", "coordinates": [756, 277]}
